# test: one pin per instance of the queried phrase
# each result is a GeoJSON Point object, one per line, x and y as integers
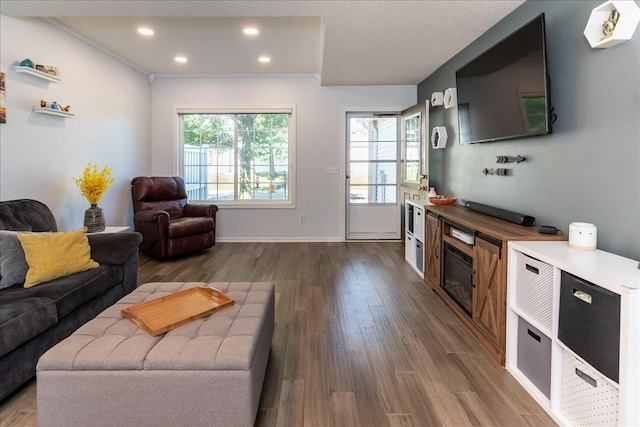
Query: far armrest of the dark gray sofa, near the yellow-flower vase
{"type": "Point", "coordinates": [113, 248]}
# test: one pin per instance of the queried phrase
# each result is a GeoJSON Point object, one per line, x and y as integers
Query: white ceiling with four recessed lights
{"type": "Point", "coordinates": [343, 42]}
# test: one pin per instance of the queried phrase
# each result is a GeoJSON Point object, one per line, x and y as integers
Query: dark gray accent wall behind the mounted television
{"type": "Point", "coordinates": [588, 169]}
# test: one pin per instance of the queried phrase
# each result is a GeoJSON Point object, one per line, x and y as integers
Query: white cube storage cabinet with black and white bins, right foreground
{"type": "Point", "coordinates": [549, 282]}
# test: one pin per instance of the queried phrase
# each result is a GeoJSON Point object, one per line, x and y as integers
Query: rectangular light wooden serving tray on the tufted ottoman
{"type": "Point", "coordinates": [160, 315]}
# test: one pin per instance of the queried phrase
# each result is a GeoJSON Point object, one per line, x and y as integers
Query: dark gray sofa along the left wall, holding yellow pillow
{"type": "Point", "coordinates": [35, 319]}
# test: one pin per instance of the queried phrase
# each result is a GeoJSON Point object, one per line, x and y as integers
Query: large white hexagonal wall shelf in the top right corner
{"type": "Point", "coordinates": [624, 28]}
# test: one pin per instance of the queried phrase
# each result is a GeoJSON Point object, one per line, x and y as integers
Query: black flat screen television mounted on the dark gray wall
{"type": "Point", "coordinates": [504, 92]}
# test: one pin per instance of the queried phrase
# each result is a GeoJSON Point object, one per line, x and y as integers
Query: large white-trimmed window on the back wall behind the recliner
{"type": "Point", "coordinates": [237, 157]}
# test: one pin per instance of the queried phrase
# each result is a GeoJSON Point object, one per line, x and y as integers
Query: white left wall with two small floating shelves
{"type": "Point", "coordinates": [40, 155]}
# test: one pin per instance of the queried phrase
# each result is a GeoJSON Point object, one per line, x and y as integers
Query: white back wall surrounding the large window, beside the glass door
{"type": "Point", "coordinates": [320, 138]}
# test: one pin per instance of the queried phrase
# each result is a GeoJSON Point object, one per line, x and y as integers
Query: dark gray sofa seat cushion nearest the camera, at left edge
{"type": "Point", "coordinates": [23, 319]}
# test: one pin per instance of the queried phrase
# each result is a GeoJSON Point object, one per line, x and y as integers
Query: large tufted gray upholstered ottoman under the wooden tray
{"type": "Point", "coordinates": [208, 372]}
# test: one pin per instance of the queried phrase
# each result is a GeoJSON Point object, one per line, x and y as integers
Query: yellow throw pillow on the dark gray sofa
{"type": "Point", "coordinates": [54, 255]}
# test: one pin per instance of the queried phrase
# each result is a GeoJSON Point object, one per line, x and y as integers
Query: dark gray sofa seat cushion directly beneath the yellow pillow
{"type": "Point", "coordinates": [70, 292]}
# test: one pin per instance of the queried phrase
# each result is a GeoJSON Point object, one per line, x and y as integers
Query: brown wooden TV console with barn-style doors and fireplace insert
{"type": "Point", "coordinates": [489, 253]}
